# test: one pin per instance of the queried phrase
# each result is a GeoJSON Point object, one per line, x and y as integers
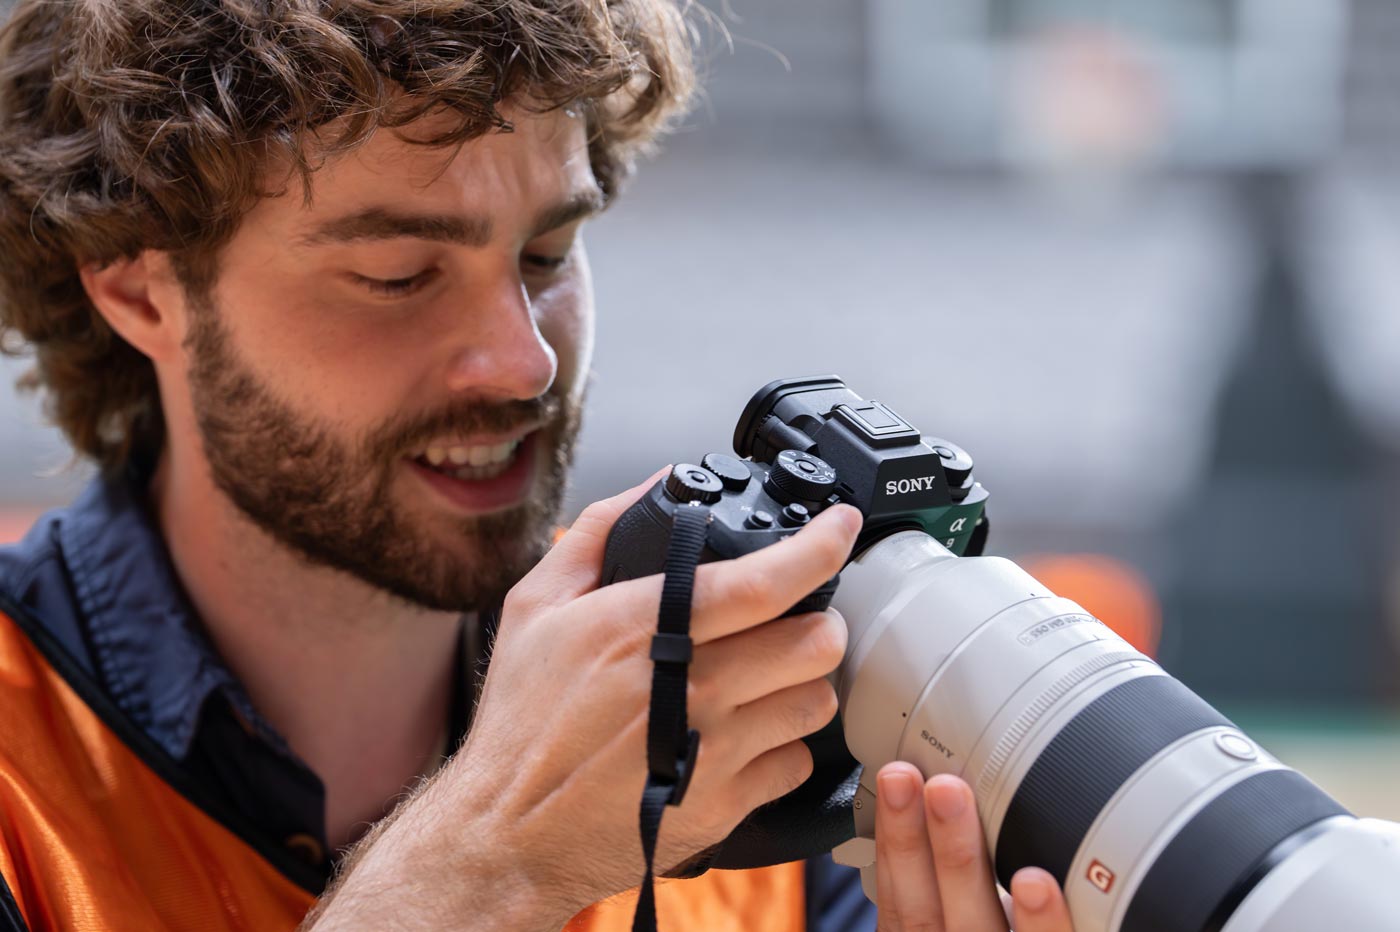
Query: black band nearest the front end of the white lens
{"type": "Point", "coordinates": [1213, 860]}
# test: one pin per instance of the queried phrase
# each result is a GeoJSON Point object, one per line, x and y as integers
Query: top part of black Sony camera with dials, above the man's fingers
{"type": "Point", "coordinates": [813, 443]}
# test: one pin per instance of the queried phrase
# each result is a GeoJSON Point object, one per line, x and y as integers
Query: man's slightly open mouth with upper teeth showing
{"type": "Point", "coordinates": [482, 475]}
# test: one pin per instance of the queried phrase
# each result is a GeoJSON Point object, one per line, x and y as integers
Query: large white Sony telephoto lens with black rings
{"type": "Point", "coordinates": [1151, 810]}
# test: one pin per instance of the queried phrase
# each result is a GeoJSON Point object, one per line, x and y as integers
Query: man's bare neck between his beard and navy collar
{"type": "Point", "coordinates": [358, 682]}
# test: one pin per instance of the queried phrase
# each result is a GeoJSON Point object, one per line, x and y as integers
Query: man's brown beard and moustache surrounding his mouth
{"type": "Point", "coordinates": [330, 499]}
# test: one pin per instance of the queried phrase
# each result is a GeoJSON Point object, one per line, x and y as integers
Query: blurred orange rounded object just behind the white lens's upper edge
{"type": "Point", "coordinates": [1109, 590]}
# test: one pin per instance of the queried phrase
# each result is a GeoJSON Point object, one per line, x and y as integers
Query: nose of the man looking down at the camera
{"type": "Point", "coordinates": [500, 351]}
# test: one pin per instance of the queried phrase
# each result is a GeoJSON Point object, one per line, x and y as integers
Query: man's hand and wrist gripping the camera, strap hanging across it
{"type": "Point", "coordinates": [537, 817]}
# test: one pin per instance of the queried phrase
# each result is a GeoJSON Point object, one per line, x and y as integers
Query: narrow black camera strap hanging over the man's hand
{"type": "Point", "coordinates": [671, 744]}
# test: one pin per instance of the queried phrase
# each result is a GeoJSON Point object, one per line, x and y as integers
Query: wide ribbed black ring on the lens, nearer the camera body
{"type": "Point", "coordinates": [1081, 769]}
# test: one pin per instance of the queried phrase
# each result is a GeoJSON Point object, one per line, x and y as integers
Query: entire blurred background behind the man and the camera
{"type": "Point", "coordinates": [1140, 258]}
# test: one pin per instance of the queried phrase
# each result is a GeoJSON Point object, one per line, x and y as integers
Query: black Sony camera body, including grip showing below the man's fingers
{"type": "Point", "coordinates": [807, 444]}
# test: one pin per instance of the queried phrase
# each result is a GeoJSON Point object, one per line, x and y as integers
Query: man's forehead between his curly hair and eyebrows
{"type": "Point", "coordinates": [544, 160]}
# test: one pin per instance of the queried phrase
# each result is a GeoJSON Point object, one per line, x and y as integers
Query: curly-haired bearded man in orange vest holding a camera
{"type": "Point", "coordinates": [306, 281]}
